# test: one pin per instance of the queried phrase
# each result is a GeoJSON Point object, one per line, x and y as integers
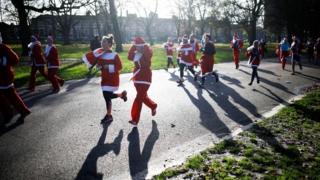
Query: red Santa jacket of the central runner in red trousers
{"type": "Point", "coordinates": [142, 74]}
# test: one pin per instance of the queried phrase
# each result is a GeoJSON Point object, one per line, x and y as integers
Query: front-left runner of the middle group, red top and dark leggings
{"type": "Point", "coordinates": [186, 55]}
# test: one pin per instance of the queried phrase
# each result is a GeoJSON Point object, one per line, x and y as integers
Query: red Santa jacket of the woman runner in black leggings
{"type": "Point", "coordinates": [110, 65]}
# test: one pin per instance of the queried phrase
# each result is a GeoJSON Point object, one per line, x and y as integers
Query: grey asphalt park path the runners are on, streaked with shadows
{"type": "Point", "coordinates": [63, 138]}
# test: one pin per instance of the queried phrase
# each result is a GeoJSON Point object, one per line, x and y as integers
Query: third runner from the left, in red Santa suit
{"type": "Point", "coordinates": [51, 54]}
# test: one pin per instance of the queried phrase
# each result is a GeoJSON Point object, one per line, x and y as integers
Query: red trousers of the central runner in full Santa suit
{"type": "Point", "coordinates": [142, 97]}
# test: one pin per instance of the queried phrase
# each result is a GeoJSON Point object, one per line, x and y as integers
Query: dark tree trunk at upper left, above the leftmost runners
{"type": "Point", "coordinates": [24, 29]}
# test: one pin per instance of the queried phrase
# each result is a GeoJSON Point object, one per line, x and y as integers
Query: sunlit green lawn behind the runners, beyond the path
{"type": "Point", "coordinates": [77, 70]}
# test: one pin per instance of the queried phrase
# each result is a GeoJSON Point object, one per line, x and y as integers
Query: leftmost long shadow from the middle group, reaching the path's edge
{"type": "Point", "coordinates": [208, 116]}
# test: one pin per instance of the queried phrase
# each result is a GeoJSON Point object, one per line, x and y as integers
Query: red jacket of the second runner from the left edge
{"type": "Point", "coordinates": [36, 55]}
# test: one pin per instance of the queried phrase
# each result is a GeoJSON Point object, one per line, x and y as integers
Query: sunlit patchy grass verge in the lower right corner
{"type": "Point", "coordinates": [285, 146]}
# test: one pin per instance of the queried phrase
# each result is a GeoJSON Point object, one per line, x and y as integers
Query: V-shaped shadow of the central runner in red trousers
{"type": "Point", "coordinates": [138, 161]}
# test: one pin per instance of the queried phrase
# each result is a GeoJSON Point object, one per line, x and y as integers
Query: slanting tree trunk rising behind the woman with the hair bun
{"type": "Point", "coordinates": [116, 29]}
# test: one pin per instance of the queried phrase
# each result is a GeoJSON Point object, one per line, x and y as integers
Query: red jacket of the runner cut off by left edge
{"type": "Point", "coordinates": [8, 59]}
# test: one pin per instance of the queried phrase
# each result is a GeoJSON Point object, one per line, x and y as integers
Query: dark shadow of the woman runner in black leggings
{"type": "Point", "coordinates": [88, 170]}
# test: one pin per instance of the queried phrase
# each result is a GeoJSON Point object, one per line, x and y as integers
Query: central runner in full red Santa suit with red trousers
{"type": "Point", "coordinates": [140, 53]}
